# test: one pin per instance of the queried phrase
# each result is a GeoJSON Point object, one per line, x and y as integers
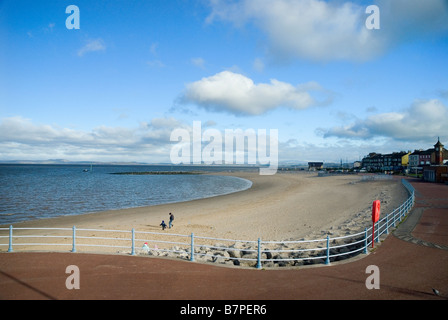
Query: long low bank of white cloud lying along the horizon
{"type": "Point", "coordinates": [22, 139]}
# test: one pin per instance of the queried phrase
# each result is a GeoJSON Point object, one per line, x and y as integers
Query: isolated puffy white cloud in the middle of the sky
{"type": "Point", "coordinates": [235, 93]}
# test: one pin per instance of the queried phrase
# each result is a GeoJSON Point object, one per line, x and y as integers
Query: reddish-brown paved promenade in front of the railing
{"type": "Point", "coordinates": [411, 262]}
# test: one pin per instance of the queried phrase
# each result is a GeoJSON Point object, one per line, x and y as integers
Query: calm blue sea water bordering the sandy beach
{"type": "Point", "coordinates": [29, 192]}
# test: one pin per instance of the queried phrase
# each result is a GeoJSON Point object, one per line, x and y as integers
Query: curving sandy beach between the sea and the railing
{"type": "Point", "coordinates": [285, 206]}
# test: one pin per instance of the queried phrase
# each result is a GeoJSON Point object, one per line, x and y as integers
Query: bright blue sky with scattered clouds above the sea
{"type": "Point", "coordinates": [337, 82]}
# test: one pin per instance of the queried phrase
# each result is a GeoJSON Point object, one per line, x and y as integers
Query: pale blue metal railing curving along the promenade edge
{"type": "Point", "coordinates": [206, 249]}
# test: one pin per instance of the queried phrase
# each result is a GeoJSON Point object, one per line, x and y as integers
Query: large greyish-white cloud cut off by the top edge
{"type": "Point", "coordinates": [324, 31]}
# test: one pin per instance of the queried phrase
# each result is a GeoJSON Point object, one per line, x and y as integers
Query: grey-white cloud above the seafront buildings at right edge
{"type": "Point", "coordinates": [422, 121]}
